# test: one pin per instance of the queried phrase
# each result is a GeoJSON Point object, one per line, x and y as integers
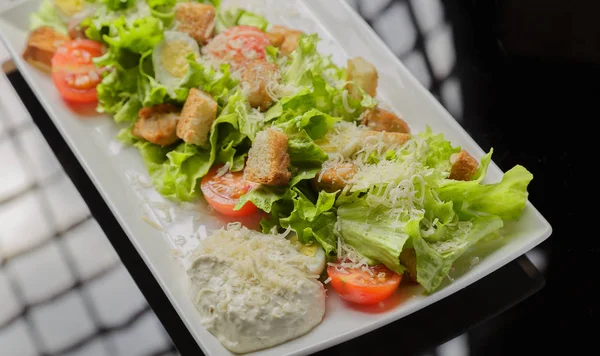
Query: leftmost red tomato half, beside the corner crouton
{"type": "Point", "coordinates": [73, 72]}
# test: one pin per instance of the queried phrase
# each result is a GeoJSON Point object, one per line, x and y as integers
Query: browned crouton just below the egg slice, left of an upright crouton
{"type": "Point", "coordinates": [157, 124]}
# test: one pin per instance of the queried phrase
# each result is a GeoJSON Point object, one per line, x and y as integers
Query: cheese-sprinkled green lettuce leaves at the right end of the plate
{"type": "Point", "coordinates": [406, 201]}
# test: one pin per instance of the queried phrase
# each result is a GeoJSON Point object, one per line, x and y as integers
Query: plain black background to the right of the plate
{"type": "Point", "coordinates": [529, 71]}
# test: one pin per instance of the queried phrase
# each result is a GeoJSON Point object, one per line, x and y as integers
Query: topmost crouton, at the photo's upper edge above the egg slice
{"type": "Point", "coordinates": [195, 19]}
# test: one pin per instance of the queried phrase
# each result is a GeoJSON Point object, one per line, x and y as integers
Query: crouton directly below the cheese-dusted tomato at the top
{"type": "Point", "coordinates": [256, 77]}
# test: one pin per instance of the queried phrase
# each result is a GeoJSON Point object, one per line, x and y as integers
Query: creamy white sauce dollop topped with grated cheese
{"type": "Point", "coordinates": [254, 290]}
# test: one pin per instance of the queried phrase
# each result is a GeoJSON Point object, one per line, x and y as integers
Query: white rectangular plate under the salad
{"type": "Point", "coordinates": [163, 232]}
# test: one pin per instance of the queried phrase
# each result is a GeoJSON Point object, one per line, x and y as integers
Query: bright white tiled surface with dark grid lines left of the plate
{"type": "Point", "coordinates": [60, 279]}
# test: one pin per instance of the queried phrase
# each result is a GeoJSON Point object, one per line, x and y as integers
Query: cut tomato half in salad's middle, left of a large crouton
{"type": "Point", "coordinates": [223, 192]}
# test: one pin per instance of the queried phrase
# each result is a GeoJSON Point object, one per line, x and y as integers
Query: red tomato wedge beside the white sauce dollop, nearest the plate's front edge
{"type": "Point", "coordinates": [358, 286]}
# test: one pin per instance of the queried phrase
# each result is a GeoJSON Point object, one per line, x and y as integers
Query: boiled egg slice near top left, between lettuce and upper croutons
{"type": "Point", "coordinates": [169, 58]}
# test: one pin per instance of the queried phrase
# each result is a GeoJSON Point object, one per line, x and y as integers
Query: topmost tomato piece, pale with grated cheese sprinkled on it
{"type": "Point", "coordinates": [239, 44]}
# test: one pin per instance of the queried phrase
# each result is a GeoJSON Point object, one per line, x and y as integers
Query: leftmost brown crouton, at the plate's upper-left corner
{"type": "Point", "coordinates": [42, 43]}
